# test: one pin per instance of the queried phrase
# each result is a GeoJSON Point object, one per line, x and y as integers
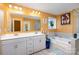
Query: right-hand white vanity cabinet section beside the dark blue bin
{"type": "Point", "coordinates": [39, 43]}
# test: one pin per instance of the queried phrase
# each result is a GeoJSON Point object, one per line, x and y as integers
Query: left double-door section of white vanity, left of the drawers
{"type": "Point", "coordinates": [13, 47]}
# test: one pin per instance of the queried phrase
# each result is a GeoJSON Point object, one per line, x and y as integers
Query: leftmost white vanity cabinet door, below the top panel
{"type": "Point", "coordinates": [8, 49]}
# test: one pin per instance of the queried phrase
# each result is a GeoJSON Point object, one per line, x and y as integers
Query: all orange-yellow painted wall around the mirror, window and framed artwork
{"type": "Point", "coordinates": [60, 28]}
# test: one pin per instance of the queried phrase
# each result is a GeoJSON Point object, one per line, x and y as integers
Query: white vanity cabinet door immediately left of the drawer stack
{"type": "Point", "coordinates": [20, 47]}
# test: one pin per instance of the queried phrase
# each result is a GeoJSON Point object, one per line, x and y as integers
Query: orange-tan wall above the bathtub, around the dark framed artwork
{"type": "Point", "coordinates": [70, 28]}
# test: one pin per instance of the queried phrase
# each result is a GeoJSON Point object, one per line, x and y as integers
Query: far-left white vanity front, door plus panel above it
{"type": "Point", "coordinates": [8, 47]}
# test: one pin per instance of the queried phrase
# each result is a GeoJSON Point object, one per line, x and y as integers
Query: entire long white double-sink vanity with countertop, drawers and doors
{"type": "Point", "coordinates": [22, 44]}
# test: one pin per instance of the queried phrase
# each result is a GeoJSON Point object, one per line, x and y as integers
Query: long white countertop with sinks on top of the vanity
{"type": "Point", "coordinates": [19, 35]}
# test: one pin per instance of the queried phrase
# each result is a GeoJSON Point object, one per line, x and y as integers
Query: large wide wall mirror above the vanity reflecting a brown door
{"type": "Point", "coordinates": [27, 23]}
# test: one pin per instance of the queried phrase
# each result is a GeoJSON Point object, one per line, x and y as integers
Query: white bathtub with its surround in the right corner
{"type": "Point", "coordinates": [64, 44]}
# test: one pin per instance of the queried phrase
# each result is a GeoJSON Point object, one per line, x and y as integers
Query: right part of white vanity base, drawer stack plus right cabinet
{"type": "Point", "coordinates": [35, 44]}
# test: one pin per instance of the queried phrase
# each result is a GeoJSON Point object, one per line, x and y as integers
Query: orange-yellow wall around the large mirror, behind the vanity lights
{"type": "Point", "coordinates": [27, 11]}
